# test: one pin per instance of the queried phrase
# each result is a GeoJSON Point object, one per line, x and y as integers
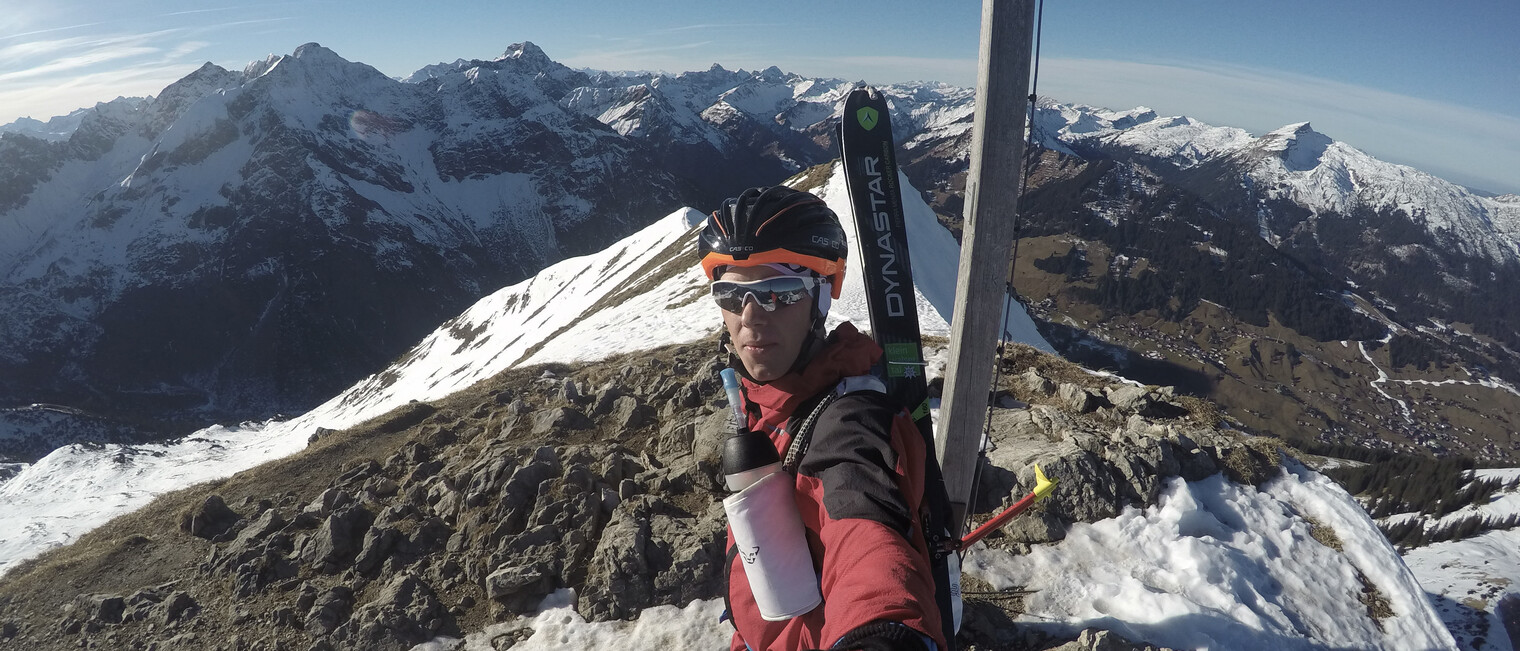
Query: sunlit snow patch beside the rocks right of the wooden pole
{"type": "Point", "coordinates": [1217, 565]}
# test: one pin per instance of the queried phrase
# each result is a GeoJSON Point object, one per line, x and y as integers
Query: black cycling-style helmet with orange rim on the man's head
{"type": "Point", "coordinates": [776, 226]}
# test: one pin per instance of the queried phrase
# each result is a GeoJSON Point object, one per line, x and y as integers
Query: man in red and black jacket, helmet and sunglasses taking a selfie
{"type": "Point", "coordinates": [777, 259]}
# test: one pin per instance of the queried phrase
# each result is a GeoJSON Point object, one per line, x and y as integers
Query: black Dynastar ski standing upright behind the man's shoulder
{"type": "Point", "coordinates": [870, 160]}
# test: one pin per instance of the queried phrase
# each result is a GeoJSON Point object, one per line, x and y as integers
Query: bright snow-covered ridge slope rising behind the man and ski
{"type": "Point", "coordinates": [642, 293]}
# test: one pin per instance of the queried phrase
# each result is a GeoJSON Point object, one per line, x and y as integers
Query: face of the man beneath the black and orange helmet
{"type": "Point", "coordinates": [767, 343]}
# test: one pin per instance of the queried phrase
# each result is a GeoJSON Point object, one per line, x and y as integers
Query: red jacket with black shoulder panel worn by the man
{"type": "Point", "coordinates": [860, 491]}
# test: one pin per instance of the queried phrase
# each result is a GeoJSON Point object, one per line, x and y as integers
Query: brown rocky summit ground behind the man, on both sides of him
{"type": "Point", "coordinates": [443, 518]}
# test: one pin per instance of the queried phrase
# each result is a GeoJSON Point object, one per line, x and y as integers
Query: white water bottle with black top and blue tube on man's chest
{"type": "Point", "coordinates": [762, 515]}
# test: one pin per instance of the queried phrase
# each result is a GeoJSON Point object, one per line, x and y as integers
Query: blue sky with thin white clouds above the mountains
{"type": "Point", "coordinates": [1430, 84]}
